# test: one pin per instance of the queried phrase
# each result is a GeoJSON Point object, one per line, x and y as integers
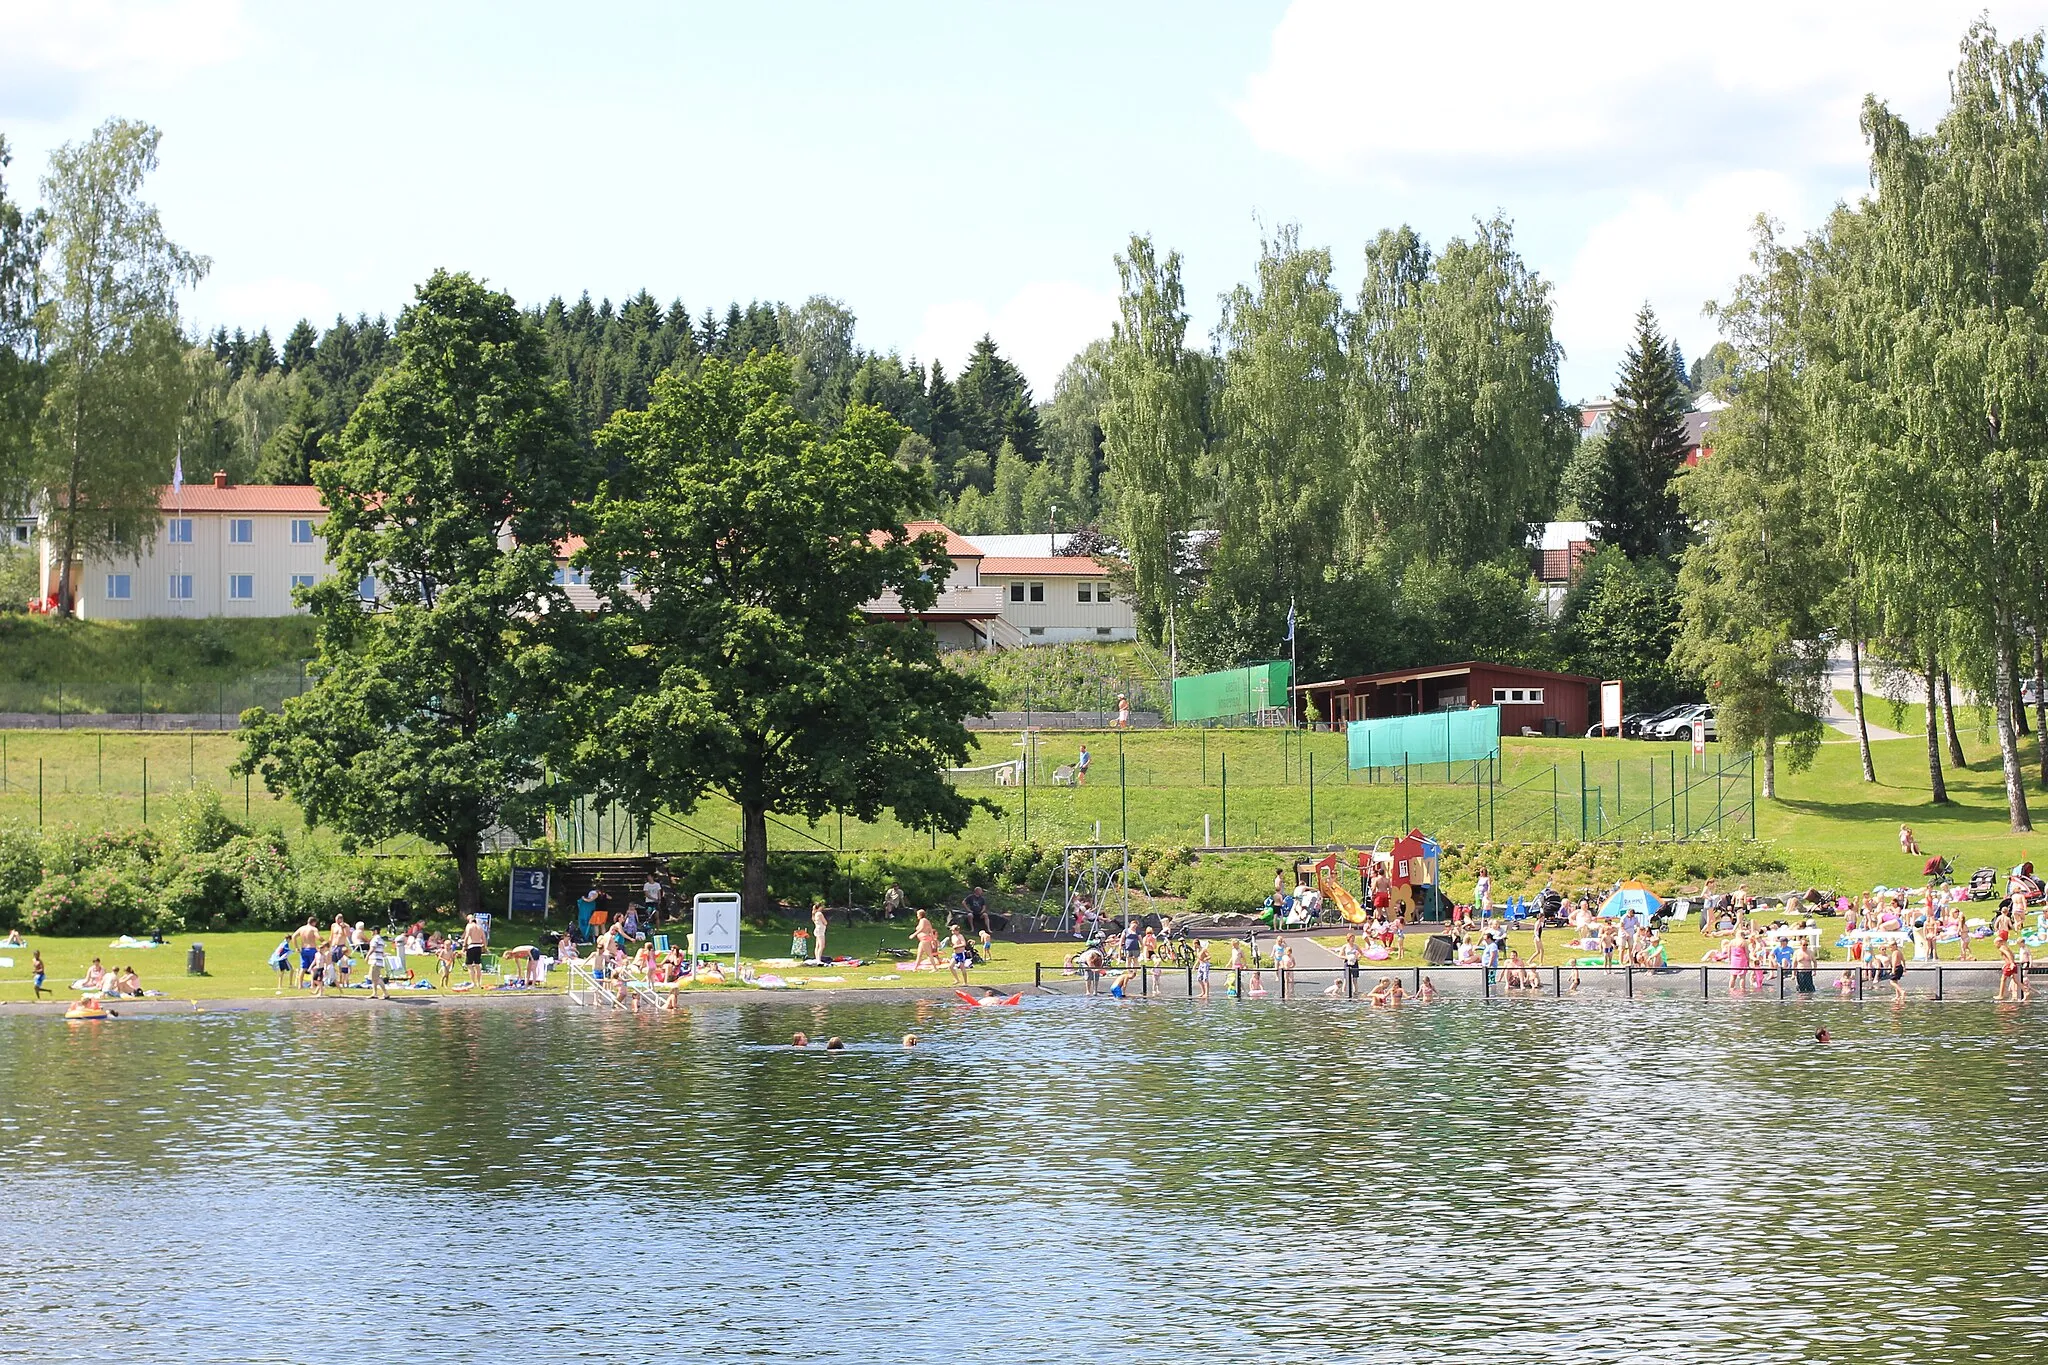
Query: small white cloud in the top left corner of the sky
{"type": "Point", "coordinates": [54, 50]}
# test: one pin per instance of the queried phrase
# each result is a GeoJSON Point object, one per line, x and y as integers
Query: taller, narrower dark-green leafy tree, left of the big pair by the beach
{"type": "Point", "coordinates": [447, 492]}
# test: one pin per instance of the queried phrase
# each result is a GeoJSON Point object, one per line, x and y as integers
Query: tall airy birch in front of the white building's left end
{"type": "Point", "coordinates": [118, 380]}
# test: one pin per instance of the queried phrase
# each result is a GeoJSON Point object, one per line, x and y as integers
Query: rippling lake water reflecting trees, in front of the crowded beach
{"type": "Point", "coordinates": [1070, 1180]}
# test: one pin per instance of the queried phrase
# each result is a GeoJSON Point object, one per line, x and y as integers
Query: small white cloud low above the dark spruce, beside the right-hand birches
{"type": "Point", "coordinates": [1670, 253]}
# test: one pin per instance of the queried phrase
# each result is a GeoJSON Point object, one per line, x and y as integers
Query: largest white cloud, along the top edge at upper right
{"type": "Point", "coordinates": [1396, 93]}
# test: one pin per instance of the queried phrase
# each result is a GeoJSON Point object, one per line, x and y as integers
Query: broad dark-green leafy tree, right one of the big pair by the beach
{"type": "Point", "coordinates": [738, 545]}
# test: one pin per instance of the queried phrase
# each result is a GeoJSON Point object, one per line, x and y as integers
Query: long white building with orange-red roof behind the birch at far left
{"type": "Point", "coordinates": [220, 549]}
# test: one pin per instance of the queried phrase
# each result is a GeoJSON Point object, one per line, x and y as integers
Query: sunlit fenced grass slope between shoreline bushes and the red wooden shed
{"type": "Point", "coordinates": [1830, 826]}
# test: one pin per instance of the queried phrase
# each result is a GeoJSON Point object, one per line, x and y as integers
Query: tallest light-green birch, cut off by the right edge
{"type": "Point", "coordinates": [1938, 371]}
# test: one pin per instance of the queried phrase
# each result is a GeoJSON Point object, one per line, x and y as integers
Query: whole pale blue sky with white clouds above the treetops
{"type": "Point", "coordinates": [955, 169]}
